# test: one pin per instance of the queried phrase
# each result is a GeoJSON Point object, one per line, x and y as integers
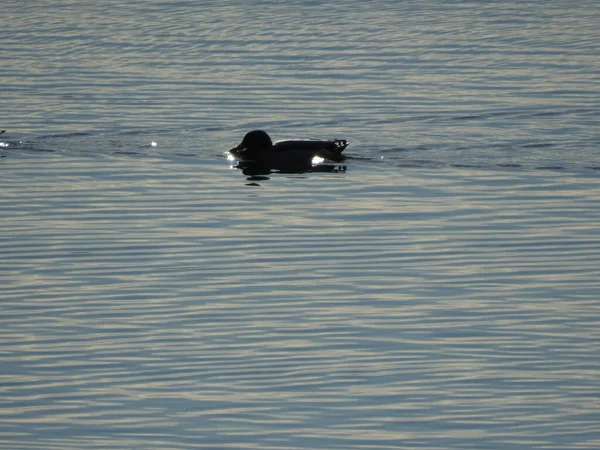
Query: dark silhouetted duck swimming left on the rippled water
{"type": "Point", "coordinates": [258, 150]}
